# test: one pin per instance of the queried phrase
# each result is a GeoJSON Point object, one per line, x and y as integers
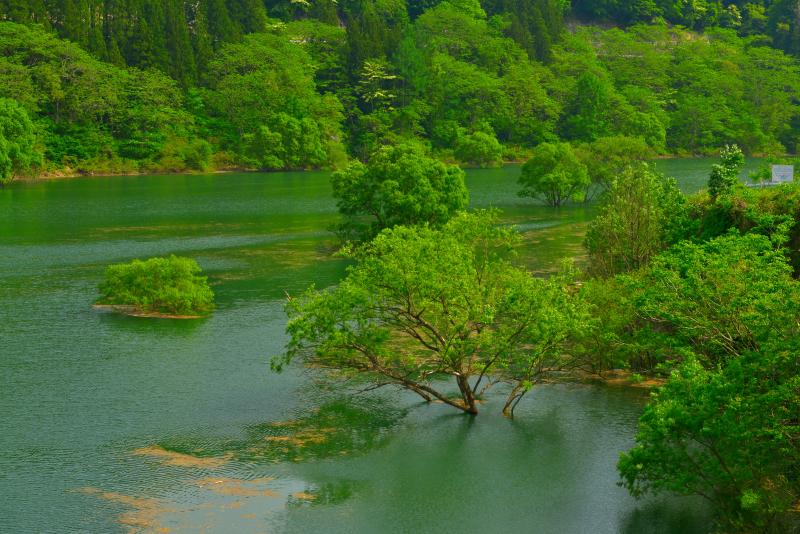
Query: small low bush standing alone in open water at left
{"type": "Point", "coordinates": [171, 288]}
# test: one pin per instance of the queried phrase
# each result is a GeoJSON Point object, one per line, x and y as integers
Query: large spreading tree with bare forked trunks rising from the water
{"type": "Point", "coordinates": [425, 309]}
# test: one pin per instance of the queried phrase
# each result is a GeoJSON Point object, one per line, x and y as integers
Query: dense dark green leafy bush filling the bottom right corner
{"type": "Point", "coordinates": [729, 435]}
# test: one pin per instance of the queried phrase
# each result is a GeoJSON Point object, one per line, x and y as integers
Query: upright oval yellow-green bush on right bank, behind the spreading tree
{"type": "Point", "coordinates": [640, 214]}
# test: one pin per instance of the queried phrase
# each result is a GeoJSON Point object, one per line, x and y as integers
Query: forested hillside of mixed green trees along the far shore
{"type": "Point", "coordinates": [152, 85]}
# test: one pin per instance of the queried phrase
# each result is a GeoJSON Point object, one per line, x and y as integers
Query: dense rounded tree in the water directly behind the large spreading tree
{"type": "Point", "coordinates": [399, 186]}
